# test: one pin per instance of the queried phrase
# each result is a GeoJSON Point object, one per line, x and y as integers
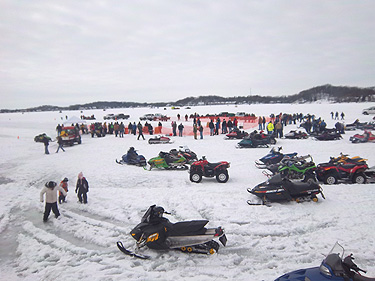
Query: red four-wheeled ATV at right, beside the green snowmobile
{"type": "Point", "coordinates": [331, 173]}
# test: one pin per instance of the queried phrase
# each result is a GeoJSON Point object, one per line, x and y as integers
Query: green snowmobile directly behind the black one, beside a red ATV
{"type": "Point", "coordinates": [294, 168]}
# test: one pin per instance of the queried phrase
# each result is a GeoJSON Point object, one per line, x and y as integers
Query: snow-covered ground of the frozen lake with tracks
{"type": "Point", "coordinates": [263, 242]}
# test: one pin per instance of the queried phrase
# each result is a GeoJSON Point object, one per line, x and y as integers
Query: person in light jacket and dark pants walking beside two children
{"type": "Point", "coordinates": [50, 190]}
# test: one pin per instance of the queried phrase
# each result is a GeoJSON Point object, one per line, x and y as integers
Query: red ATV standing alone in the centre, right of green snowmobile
{"type": "Point", "coordinates": [203, 168]}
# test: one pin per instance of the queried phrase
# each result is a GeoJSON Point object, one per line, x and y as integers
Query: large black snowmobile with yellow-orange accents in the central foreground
{"type": "Point", "coordinates": [158, 233]}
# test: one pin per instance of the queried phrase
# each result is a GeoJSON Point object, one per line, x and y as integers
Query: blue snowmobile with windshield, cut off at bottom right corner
{"type": "Point", "coordinates": [334, 267]}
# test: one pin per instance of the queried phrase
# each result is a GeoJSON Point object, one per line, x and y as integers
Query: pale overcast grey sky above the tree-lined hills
{"type": "Point", "coordinates": [68, 52]}
